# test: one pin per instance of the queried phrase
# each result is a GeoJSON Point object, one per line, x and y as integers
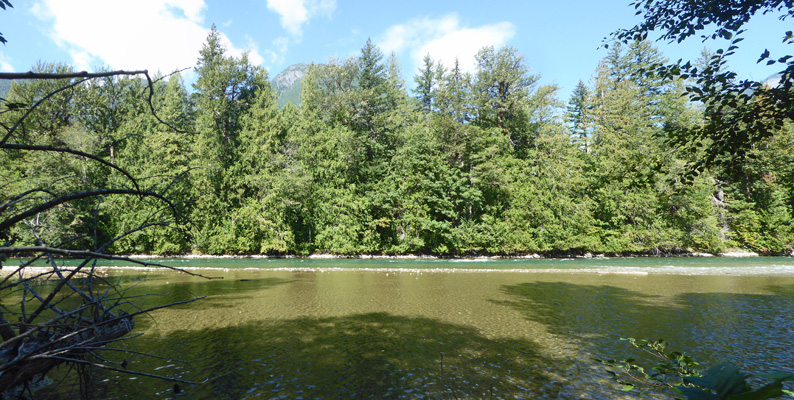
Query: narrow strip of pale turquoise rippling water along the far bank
{"type": "Point", "coordinates": [635, 266]}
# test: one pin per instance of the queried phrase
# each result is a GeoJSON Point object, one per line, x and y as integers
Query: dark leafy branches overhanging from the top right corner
{"type": "Point", "coordinates": [738, 113]}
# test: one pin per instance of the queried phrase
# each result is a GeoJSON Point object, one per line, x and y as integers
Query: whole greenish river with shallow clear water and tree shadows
{"type": "Point", "coordinates": [402, 329]}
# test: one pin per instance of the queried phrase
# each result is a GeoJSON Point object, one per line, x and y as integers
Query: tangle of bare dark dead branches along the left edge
{"type": "Point", "coordinates": [74, 334]}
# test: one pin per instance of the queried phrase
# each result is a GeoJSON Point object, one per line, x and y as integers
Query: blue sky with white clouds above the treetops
{"type": "Point", "coordinates": [560, 39]}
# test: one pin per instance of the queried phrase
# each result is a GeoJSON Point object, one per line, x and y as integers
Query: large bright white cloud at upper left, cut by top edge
{"type": "Point", "coordinates": [155, 35]}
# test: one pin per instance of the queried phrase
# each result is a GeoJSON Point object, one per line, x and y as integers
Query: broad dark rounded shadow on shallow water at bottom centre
{"type": "Point", "coordinates": [372, 356]}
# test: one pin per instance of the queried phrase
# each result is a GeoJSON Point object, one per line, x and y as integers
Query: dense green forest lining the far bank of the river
{"type": "Point", "coordinates": [454, 164]}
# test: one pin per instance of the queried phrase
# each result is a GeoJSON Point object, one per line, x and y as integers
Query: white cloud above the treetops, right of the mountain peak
{"type": "Point", "coordinates": [444, 39]}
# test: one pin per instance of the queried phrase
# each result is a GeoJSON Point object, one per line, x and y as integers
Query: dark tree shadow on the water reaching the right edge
{"type": "Point", "coordinates": [752, 331]}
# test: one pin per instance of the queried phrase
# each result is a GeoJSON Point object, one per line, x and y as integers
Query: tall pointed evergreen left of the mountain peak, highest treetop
{"type": "Point", "coordinates": [224, 90]}
